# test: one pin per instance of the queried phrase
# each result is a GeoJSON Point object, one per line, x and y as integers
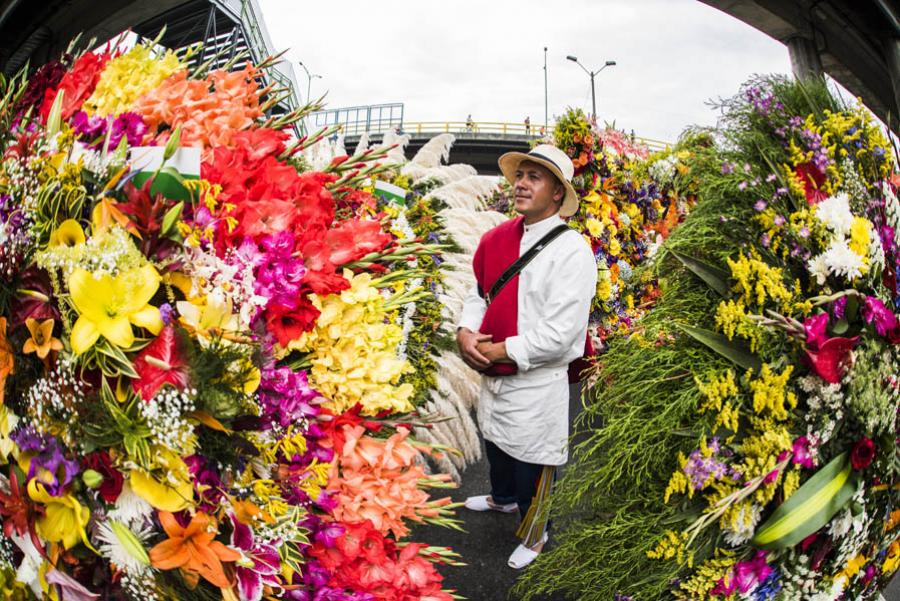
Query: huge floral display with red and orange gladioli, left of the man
{"type": "Point", "coordinates": [205, 389]}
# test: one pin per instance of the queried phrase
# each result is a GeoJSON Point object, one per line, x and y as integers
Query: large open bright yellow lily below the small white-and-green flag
{"type": "Point", "coordinates": [109, 305]}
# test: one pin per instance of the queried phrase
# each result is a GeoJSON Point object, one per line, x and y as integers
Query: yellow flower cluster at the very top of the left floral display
{"type": "Point", "coordinates": [126, 77]}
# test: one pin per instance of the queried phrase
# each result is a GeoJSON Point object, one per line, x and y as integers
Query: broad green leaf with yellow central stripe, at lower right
{"type": "Point", "coordinates": [811, 507]}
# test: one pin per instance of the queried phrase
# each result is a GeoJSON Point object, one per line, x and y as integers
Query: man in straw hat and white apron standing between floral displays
{"type": "Point", "coordinates": [523, 337]}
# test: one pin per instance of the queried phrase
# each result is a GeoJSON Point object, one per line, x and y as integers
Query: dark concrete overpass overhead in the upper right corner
{"type": "Point", "coordinates": [857, 42]}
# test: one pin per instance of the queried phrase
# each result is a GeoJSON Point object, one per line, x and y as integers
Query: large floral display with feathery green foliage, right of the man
{"type": "Point", "coordinates": [750, 441]}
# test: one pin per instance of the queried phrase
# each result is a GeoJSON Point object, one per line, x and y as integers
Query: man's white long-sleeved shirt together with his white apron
{"type": "Point", "coordinates": [527, 415]}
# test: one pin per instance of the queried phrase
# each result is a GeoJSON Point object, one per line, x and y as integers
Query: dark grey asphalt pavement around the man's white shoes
{"type": "Point", "coordinates": [490, 539]}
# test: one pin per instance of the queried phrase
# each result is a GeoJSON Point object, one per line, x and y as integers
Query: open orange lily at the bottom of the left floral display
{"type": "Point", "coordinates": [193, 549]}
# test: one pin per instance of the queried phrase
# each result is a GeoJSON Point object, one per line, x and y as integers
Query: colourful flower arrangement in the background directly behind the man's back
{"type": "Point", "coordinates": [630, 201]}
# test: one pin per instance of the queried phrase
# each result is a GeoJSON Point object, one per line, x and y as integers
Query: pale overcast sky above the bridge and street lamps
{"type": "Point", "coordinates": [445, 60]}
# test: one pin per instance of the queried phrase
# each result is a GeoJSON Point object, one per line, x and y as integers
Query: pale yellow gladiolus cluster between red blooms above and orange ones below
{"type": "Point", "coordinates": [353, 351]}
